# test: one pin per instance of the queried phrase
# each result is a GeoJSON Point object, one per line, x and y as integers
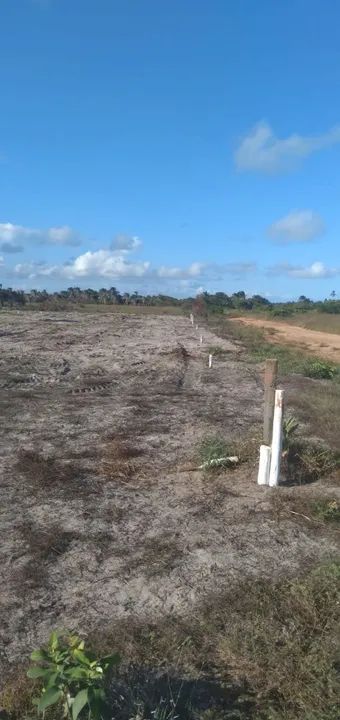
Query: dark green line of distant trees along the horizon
{"type": "Point", "coordinates": [205, 303]}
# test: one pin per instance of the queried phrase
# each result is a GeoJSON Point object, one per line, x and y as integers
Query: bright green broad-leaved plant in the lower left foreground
{"type": "Point", "coordinates": [71, 677]}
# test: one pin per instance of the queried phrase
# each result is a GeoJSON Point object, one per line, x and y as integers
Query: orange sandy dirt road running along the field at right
{"type": "Point", "coordinates": [321, 344]}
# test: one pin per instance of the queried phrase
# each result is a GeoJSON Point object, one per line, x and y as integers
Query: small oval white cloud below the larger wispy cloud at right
{"type": "Point", "coordinates": [298, 226]}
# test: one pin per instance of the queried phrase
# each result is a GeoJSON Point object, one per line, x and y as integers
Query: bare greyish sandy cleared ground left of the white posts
{"type": "Point", "coordinates": [103, 514]}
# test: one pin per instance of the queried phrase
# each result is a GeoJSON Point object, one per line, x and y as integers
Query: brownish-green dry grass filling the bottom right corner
{"type": "Point", "coordinates": [280, 638]}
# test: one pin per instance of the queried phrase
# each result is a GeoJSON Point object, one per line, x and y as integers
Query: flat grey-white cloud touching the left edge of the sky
{"type": "Point", "coordinates": [12, 236]}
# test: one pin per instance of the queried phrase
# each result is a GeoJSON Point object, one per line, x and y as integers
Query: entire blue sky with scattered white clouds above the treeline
{"type": "Point", "coordinates": [171, 146]}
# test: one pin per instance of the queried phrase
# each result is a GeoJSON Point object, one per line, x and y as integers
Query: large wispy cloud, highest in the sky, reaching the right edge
{"type": "Point", "coordinates": [262, 151]}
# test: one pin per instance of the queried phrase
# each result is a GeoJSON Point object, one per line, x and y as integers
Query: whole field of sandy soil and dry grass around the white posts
{"type": "Point", "coordinates": [222, 597]}
